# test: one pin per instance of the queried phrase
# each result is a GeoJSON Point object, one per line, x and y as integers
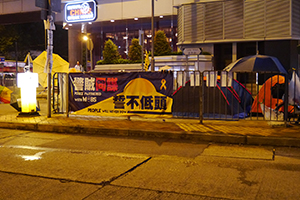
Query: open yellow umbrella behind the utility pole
{"type": "Point", "coordinates": [59, 65]}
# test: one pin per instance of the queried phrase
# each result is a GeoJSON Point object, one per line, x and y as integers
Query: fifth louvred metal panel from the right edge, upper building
{"type": "Point", "coordinates": [214, 21]}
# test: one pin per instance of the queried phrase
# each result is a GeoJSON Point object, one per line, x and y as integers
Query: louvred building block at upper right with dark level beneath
{"type": "Point", "coordinates": [232, 29]}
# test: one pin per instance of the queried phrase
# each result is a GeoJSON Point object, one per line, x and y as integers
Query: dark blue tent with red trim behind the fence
{"type": "Point", "coordinates": [218, 102]}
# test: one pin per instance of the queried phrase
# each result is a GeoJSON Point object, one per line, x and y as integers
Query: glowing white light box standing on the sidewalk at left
{"type": "Point", "coordinates": [28, 82]}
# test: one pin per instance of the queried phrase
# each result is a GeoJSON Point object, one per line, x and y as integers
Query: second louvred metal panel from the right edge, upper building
{"type": "Point", "coordinates": [277, 18]}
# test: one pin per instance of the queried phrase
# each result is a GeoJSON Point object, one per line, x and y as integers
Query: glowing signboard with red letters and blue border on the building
{"type": "Point", "coordinates": [85, 11]}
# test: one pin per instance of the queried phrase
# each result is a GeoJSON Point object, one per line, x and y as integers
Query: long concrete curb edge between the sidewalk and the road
{"type": "Point", "coordinates": [181, 135]}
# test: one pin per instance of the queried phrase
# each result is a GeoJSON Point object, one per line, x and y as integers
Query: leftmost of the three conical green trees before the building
{"type": "Point", "coordinates": [110, 52]}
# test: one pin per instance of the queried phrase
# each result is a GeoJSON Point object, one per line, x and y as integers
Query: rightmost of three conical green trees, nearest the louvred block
{"type": "Point", "coordinates": [161, 45]}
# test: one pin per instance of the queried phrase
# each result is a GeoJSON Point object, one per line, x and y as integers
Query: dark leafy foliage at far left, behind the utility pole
{"type": "Point", "coordinates": [30, 36]}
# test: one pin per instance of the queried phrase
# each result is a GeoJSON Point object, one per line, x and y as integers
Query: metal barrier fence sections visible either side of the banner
{"type": "Point", "coordinates": [220, 95]}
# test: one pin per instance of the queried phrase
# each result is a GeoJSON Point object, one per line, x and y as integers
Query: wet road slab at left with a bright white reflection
{"type": "Point", "coordinates": [99, 167]}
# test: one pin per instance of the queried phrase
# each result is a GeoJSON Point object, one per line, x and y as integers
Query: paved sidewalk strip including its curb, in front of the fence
{"type": "Point", "coordinates": [238, 132]}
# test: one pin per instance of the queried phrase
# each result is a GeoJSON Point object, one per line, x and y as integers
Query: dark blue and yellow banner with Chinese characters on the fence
{"type": "Point", "coordinates": [121, 94]}
